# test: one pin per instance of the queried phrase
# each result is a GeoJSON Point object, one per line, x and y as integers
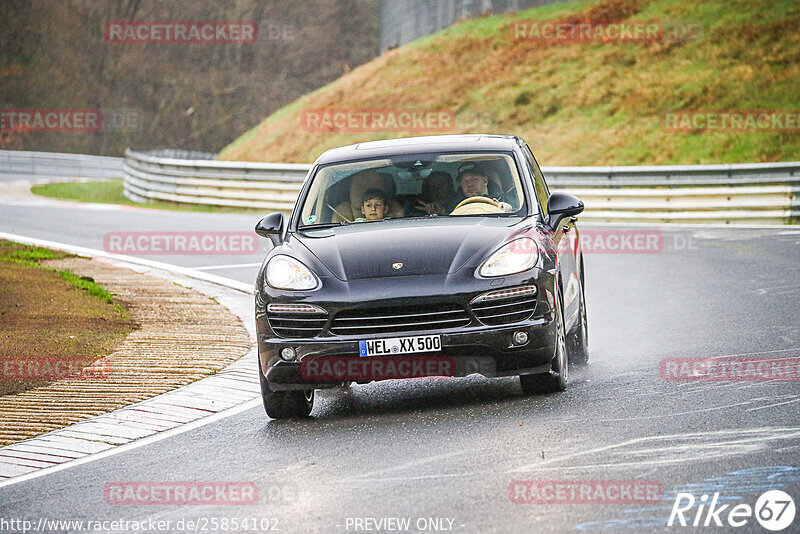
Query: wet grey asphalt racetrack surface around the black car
{"type": "Point", "coordinates": [443, 453]}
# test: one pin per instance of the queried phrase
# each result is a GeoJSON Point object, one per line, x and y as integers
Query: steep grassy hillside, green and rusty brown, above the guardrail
{"type": "Point", "coordinates": [590, 103]}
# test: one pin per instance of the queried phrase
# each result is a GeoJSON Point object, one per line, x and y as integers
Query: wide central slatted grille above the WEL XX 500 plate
{"type": "Point", "coordinates": [399, 319]}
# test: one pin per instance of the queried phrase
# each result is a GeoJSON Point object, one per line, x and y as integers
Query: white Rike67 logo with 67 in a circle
{"type": "Point", "coordinates": [774, 510]}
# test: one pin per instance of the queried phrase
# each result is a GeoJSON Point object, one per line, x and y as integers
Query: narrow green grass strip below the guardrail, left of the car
{"type": "Point", "coordinates": [111, 192]}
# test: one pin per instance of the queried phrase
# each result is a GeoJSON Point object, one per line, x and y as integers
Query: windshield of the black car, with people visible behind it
{"type": "Point", "coordinates": [423, 185]}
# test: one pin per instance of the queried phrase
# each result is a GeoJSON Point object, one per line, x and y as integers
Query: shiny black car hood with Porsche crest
{"type": "Point", "coordinates": [406, 247]}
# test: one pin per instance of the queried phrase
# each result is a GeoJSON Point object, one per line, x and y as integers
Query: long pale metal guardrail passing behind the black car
{"type": "Point", "coordinates": [765, 193]}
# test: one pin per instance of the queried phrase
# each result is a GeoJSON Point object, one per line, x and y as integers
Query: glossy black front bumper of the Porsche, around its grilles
{"type": "Point", "coordinates": [473, 348]}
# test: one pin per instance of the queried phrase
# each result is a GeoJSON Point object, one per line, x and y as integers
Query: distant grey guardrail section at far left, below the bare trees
{"type": "Point", "coordinates": [59, 165]}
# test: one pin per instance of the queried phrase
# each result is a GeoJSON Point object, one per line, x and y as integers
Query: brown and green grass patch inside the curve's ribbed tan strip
{"type": "Point", "coordinates": [51, 315]}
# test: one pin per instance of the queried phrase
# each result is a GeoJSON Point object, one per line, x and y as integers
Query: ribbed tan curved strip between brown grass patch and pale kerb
{"type": "Point", "coordinates": [183, 336]}
